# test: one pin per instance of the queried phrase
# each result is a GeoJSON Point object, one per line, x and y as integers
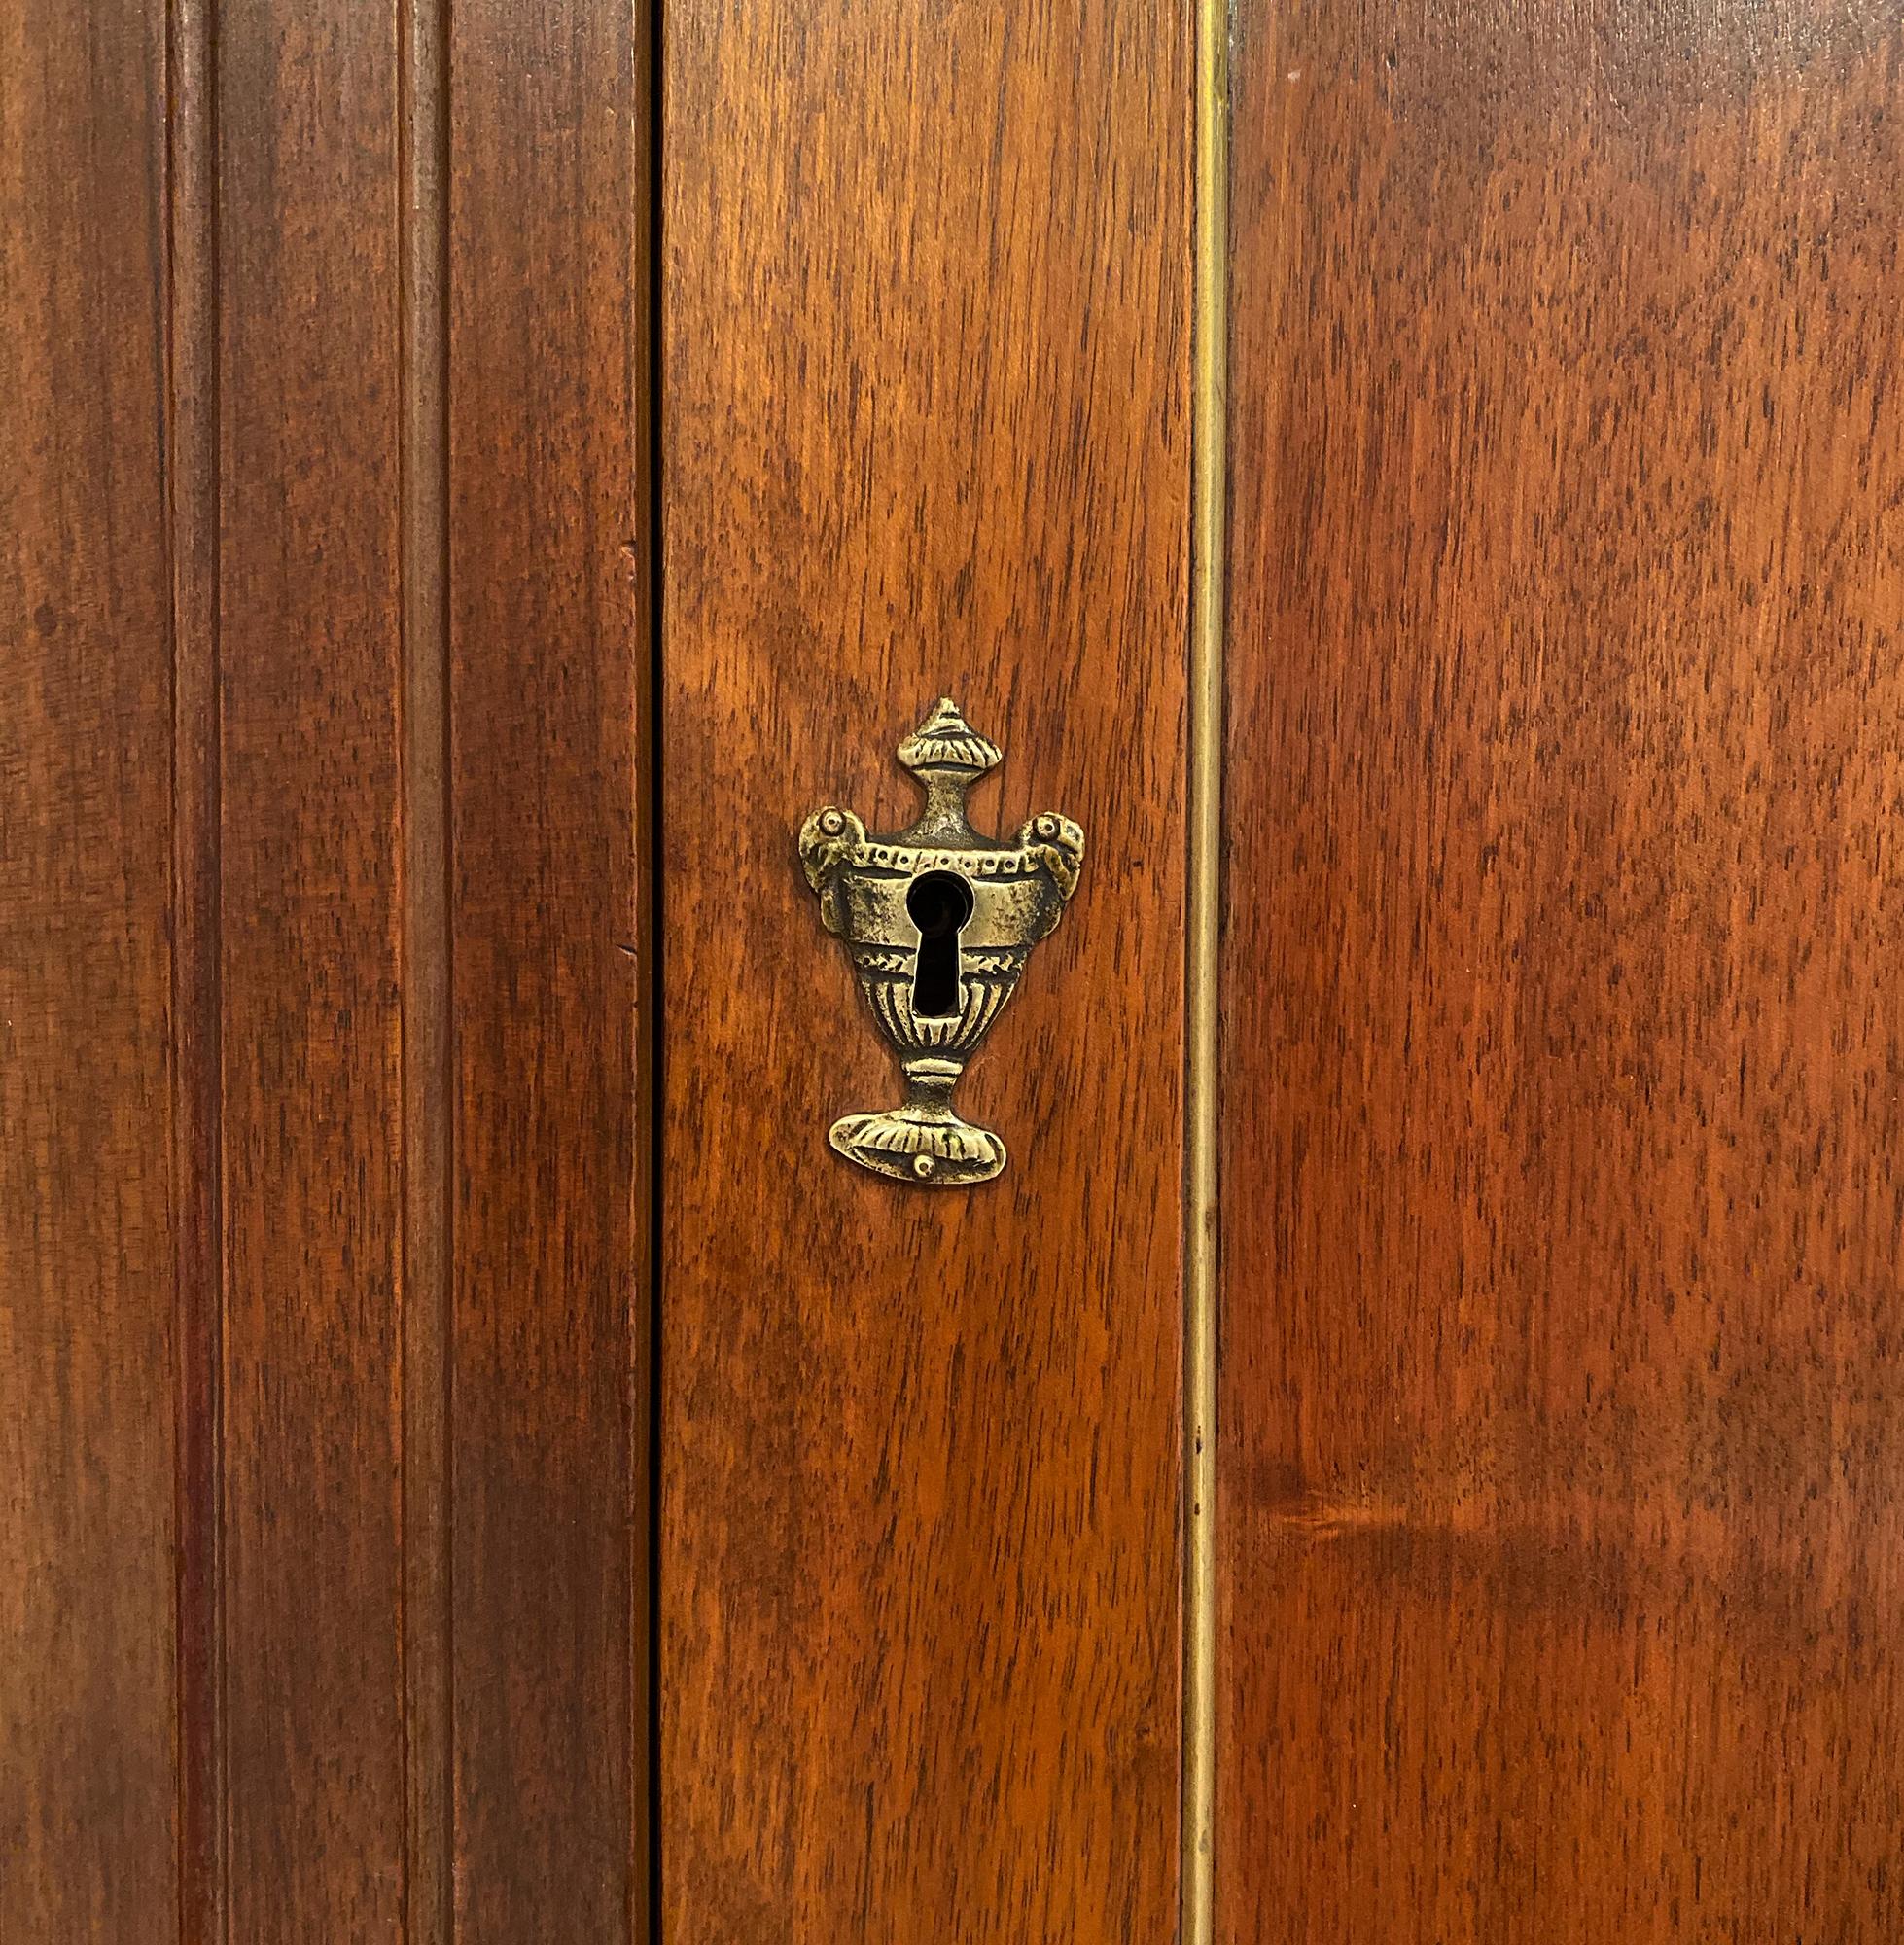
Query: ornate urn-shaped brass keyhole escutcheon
{"type": "Point", "coordinates": [940, 923]}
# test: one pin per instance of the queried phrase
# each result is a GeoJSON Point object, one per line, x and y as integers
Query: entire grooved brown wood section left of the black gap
{"type": "Point", "coordinates": [324, 1193]}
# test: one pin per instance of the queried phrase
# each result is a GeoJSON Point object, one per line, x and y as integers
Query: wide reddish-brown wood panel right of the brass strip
{"type": "Point", "coordinates": [1563, 1316]}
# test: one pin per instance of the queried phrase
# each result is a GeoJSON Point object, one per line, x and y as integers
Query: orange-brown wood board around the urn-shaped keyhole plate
{"type": "Point", "coordinates": [925, 351]}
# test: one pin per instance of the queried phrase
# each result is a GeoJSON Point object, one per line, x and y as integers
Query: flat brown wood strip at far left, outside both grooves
{"type": "Point", "coordinates": [87, 1240]}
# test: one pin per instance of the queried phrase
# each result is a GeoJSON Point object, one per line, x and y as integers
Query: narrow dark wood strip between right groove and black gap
{"type": "Point", "coordinates": [549, 709]}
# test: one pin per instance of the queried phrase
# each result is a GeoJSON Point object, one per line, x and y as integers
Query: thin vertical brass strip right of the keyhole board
{"type": "Point", "coordinates": [1209, 481]}
